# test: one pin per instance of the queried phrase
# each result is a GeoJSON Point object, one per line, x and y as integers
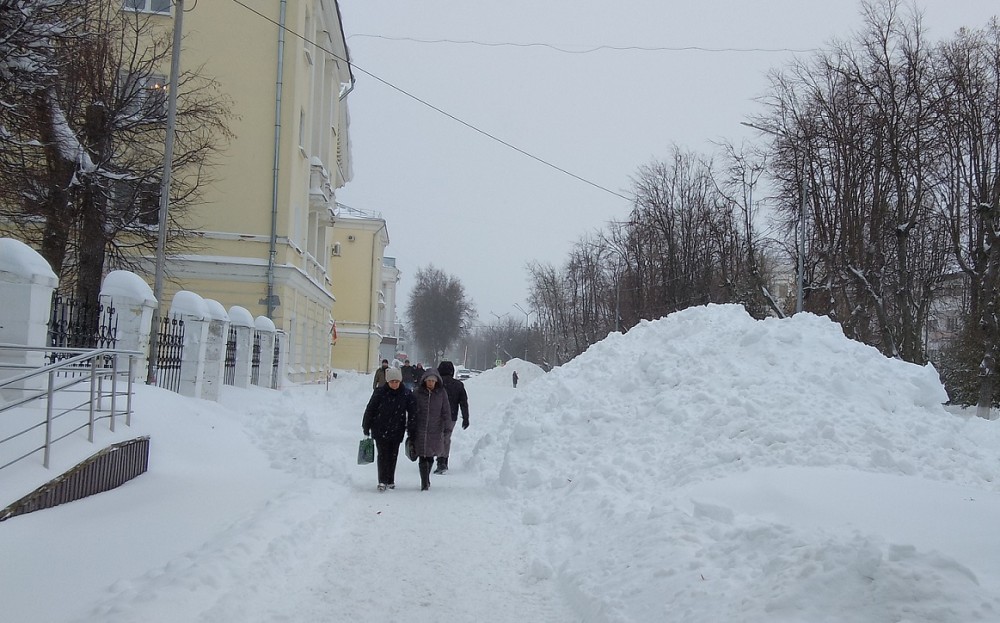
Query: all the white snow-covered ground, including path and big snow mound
{"type": "Point", "coordinates": [703, 467]}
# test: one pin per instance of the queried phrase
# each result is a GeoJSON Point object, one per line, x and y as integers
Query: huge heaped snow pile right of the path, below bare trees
{"type": "Point", "coordinates": [605, 456]}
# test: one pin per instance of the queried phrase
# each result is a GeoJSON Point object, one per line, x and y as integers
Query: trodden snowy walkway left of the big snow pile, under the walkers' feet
{"type": "Point", "coordinates": [313, 542]}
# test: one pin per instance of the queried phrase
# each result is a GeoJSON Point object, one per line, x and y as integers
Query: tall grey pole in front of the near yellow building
{"type": "Point", "coordinates": [168, 158]}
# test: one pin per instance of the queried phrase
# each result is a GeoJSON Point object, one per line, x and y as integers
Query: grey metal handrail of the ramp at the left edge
{"type": "Point", "coordinates": [78, 392]}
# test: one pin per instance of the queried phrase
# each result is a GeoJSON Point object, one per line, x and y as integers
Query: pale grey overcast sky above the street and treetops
{"type": "Point", "coordinates": [480, 210]}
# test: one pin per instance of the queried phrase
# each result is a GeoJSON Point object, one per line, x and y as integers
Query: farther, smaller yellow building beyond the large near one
{"type": "Point", "coordinates": [356, 258]}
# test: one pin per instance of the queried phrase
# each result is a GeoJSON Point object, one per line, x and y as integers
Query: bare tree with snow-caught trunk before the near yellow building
{"type": "Point", "coordinates": [90, 154]}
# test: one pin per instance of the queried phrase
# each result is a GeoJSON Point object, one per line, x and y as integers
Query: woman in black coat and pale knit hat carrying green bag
{"type": "Point", "coordinates": [386, 418]}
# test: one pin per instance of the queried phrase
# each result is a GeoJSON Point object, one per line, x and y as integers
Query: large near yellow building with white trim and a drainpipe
{"type": "Point", "coordinates": [263, 239]}
